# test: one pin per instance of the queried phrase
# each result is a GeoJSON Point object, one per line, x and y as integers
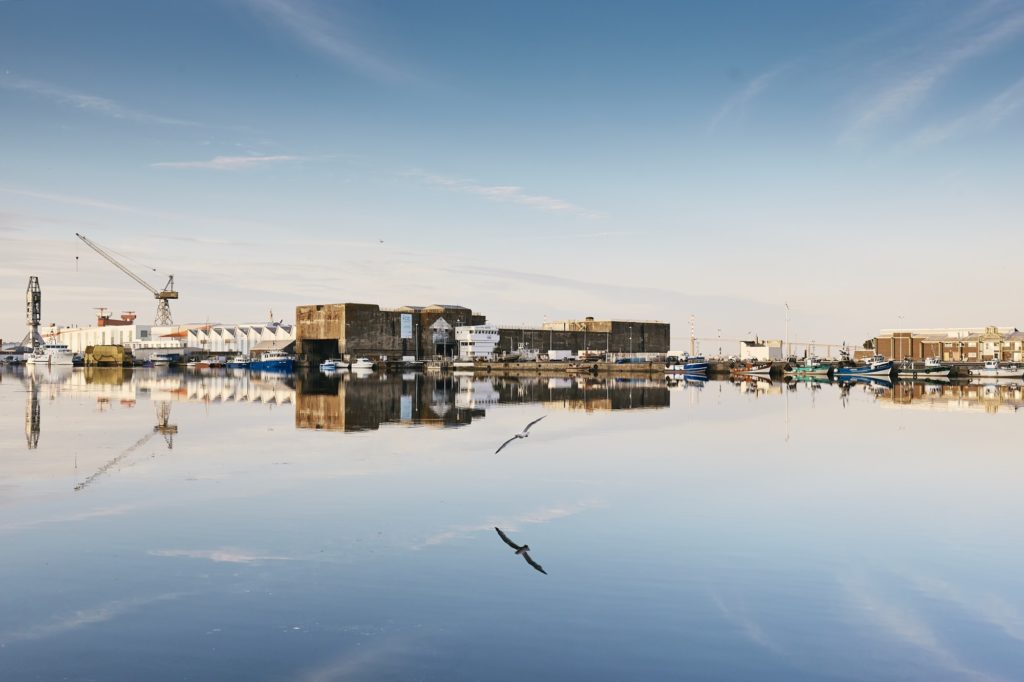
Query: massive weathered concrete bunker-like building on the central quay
{"type": "Point", "coordinates": [353, 330]}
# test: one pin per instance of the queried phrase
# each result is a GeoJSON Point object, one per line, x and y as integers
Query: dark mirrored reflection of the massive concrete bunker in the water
{"type": "Point", "coordinates": [355, 403]}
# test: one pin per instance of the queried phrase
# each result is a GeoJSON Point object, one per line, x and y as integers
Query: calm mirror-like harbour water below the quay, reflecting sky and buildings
{"type": "Point", "coordinates": [162, 526]}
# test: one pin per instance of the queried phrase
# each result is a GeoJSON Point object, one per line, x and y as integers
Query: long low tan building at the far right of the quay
{"type": "Point", "coordinates": [953, 345]}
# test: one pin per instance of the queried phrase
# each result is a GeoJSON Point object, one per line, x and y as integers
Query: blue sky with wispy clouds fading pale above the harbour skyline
{"type": "Point", "coordinates": [861, 162]}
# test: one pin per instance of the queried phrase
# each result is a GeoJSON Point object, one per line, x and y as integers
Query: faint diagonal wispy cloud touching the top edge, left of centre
{"type": "Point", "coordinates": [321, 34]}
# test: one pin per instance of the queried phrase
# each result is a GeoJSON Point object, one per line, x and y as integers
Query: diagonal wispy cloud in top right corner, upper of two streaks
{"type": "Point", "coordinates": [902, 98]}
